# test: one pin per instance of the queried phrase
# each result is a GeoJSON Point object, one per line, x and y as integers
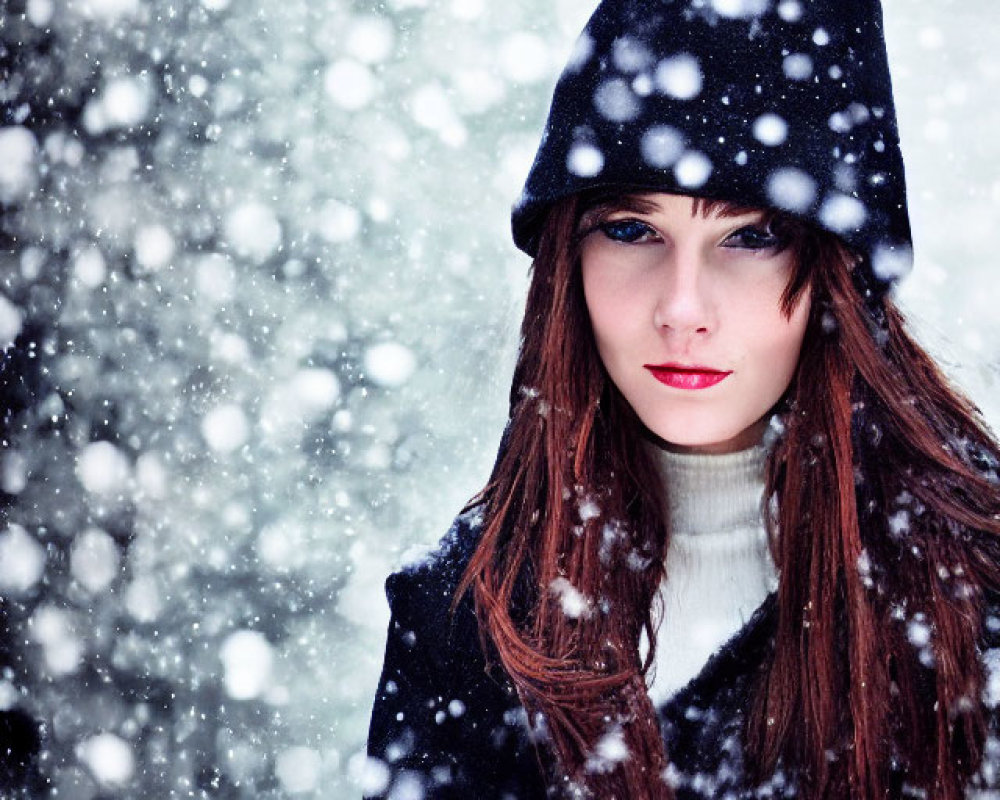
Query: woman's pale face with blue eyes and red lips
{"type": "Point", "coordinates": [686, 311]}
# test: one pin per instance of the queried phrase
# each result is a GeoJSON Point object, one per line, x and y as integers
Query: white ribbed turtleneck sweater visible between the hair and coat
{"type": "Point", "coordinates": [718, 567]}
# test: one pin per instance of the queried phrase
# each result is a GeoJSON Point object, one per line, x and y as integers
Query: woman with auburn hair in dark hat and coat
{"type": "Point", "coordinates": [741, 536]}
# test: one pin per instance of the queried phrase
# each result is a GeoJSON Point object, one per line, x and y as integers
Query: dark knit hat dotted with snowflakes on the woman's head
{"type": "Point", "coordinates": [772, 103]}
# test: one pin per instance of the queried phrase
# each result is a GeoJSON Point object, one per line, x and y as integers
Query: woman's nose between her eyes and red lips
{"type": "Point", "coordinates": [684, 304]}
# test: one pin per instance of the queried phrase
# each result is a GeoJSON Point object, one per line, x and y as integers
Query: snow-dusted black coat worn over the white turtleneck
{"type": "Point", "coordinates": [442, 723]}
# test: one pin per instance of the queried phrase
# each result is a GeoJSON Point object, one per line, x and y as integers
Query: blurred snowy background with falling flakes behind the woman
{"type": "Point", "coordinates": [259, 306]}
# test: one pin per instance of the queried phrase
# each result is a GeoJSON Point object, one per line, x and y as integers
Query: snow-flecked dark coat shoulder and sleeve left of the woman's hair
{"type": "Point", "coordinates": [443, 724]}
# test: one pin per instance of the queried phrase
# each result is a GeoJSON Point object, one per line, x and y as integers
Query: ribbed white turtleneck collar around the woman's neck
{"type": "Point", "coordinates": [712, 493]}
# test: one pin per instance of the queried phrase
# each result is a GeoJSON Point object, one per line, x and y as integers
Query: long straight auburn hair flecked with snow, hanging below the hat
{"type": "Point", "coordinates": [883, 512]}
